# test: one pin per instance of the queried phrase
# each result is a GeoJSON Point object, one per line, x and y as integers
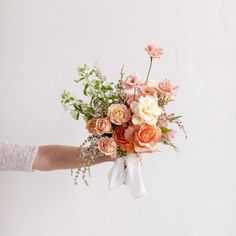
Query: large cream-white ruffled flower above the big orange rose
{"type": "Point", "coordinates": [146, 110]}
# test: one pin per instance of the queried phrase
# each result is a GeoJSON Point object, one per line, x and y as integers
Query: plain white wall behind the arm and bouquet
{"type": "Point", "coordinates": [189, 194]}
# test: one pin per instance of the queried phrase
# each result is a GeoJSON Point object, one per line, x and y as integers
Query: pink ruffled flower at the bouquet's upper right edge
{"type": "Point", "coordinates": [167, 89]}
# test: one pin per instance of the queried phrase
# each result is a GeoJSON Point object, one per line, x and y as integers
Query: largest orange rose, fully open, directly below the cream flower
{"type": "Point", "coordinates": [146, 138]}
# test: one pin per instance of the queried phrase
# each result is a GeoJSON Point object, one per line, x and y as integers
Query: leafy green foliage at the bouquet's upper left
{"type": "Point", "coordinates": [95, 86]}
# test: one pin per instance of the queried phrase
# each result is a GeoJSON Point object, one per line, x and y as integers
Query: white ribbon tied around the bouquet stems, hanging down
{"type": "Point", "coordinates": [127, 170]}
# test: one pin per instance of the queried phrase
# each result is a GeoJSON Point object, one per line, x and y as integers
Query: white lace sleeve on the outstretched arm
{"type": "Point", "coordinates": [17, 157]}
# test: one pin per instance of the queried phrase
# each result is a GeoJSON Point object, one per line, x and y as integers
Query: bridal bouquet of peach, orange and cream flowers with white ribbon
{"type": "Point", "coordinates": [123, 119]}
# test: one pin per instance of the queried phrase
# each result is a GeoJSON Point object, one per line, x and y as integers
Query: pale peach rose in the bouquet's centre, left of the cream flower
{"type": "Point", "coordinates": [118, 114]}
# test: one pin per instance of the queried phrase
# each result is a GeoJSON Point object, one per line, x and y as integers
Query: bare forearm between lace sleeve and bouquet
{"type": "Point", "coordinates": [53, 157]}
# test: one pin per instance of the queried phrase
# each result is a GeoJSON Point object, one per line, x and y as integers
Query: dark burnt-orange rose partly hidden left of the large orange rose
{"type": "Point", "coordinates": [120, 139]}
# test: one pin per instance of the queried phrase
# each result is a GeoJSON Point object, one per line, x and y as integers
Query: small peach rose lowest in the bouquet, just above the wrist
{"type": "Point", "coordinates": [107, 146]}
